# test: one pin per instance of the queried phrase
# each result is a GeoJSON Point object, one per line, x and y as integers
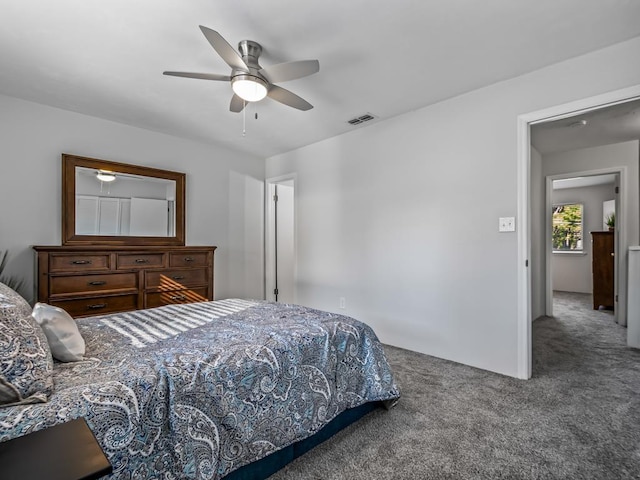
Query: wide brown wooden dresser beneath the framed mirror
{"type": "Point", "coordinates": [92, 280]}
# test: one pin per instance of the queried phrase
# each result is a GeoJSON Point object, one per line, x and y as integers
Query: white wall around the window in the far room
{"type": "Point", "coordinates": [571, 272]}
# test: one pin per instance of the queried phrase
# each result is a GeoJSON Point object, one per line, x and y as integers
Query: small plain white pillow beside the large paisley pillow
{"type": "Point", "coordinates": [65, 341]}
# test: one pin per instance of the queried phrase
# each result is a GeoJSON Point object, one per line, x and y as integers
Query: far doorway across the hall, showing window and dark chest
{"type": "Point", "coordinates": [582, 247]}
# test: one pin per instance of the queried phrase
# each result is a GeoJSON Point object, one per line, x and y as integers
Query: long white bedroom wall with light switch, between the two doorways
{"type": "Point", "coordinates": [401, 217]}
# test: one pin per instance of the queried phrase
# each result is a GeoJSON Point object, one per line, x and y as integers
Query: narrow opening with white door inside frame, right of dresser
{"type": "Point", "coordinates": [280, 244]}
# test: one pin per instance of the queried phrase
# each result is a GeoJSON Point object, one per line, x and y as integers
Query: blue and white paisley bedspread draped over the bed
{"type": "Point", "coordinates": [198, 390]}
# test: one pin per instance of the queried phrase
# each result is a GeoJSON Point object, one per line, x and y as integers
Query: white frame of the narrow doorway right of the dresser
{"type": "Point", "coordinates": [269, 215]}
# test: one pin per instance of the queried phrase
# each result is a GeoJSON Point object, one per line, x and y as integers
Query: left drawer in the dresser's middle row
{"type": "Point", "coordinates": [81, 284]}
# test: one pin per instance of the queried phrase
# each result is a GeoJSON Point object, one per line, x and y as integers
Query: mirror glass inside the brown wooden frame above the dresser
{"type": "Point", "coordinates": [123, 204]}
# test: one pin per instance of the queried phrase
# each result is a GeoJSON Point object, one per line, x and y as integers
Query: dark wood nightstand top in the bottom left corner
{"type": "Point", "coordinates": [68, 451]}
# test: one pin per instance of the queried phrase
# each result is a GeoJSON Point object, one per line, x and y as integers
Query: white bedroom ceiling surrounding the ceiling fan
{"type": "Point", "coordinates": [106, 58]}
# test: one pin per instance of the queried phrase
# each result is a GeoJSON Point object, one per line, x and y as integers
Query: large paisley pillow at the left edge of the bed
{"type": "Point", "coordinates": [26, 365]}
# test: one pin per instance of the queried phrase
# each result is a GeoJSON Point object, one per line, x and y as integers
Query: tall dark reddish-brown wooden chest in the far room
{"type": "Point", "coordinates": [602, 261]}
